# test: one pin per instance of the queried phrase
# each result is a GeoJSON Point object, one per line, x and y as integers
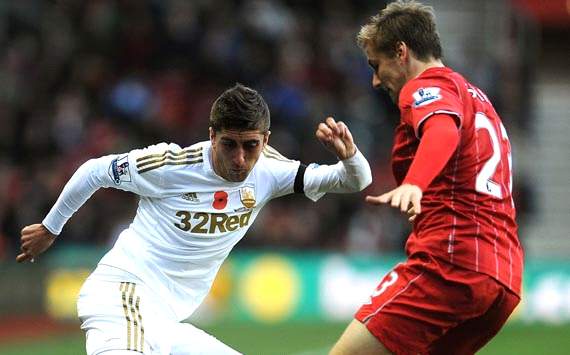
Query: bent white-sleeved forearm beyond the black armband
{"type": "Point", "coordinates": [349, 175]}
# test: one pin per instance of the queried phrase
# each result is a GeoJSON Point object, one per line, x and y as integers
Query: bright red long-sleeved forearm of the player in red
{"type": "Point", "coordinates": [439, 140]}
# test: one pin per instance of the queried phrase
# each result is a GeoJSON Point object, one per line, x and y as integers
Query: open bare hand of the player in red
{"type": "Point", "coordinates": [405, 197]}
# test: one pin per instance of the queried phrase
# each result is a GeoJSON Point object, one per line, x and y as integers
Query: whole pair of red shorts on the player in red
{"type": "Point", "coordinates": [427, 306]}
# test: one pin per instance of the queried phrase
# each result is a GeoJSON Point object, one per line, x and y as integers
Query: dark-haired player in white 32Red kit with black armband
{"type": "Point", "coordinates": [195, 204]}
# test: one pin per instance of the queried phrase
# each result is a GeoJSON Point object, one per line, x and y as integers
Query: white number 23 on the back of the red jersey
{"type": "Point", "coordinates": [486, 181]}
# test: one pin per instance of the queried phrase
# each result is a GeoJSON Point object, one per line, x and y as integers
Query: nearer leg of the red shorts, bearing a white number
{"type": "Point", "coordinates": [415, 304]}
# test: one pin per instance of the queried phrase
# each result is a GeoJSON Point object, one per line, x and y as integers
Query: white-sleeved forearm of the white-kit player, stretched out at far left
{"type": "Point", "coordinates": [87, 179]}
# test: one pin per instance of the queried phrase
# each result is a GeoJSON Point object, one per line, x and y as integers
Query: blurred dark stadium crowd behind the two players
{"type": "Point", "coordinates": [82, 79]}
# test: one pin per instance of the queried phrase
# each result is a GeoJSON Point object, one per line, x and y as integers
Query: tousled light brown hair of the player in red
{"type": "Point", "coordinates": [402, 21]}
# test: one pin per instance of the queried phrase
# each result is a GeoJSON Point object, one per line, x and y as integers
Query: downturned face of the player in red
{"type": "Point", "coordinates": [389, 73]}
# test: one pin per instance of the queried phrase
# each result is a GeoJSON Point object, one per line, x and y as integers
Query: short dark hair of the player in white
{"type": "Point", "coordinates": [240, 108]}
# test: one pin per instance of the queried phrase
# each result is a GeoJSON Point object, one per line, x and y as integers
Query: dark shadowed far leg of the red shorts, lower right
{"type": "Point", "coordinates": [471, 335]}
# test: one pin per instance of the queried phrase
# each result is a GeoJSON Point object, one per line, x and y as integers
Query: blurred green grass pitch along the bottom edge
{"type": "Point", "coordinates": [314, 339]}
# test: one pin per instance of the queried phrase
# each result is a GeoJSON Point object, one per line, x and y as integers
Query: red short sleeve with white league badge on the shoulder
{"type": "Point", "coordinates": [423, 98]}
